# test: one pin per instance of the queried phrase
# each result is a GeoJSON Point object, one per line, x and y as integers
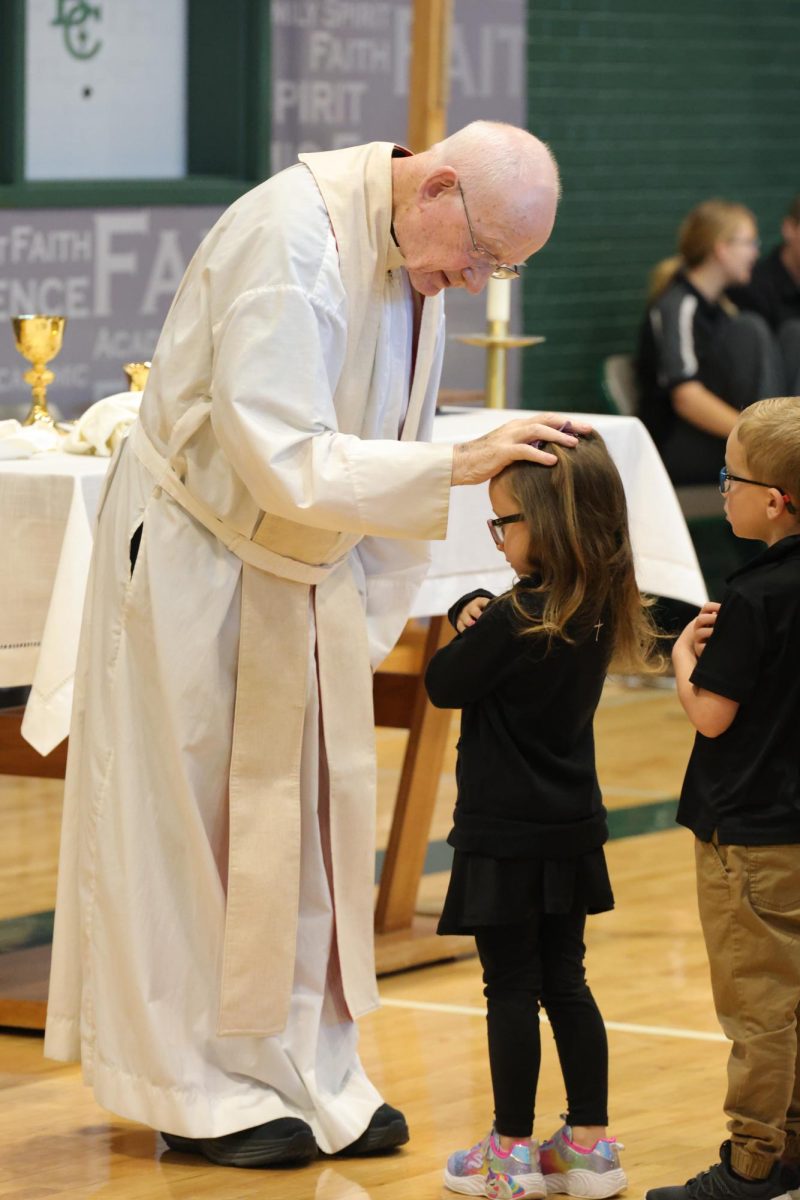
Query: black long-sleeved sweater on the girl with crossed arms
{"type": "Point", "coordinates": [526, 772]}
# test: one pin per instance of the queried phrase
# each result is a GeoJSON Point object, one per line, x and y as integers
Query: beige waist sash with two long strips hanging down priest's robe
{"type": "Point", "coordinates": [264, 838]}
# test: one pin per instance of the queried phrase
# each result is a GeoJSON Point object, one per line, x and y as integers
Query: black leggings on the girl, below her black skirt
{"type": "Point", "coordinates": [542, 962]}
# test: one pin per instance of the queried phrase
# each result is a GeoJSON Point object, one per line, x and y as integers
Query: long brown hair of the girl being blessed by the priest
{"type": "Point", "coordinates": [580, 545]}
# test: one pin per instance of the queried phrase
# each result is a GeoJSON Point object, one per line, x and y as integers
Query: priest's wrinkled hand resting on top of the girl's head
{"type": "Point", "coordinates": [474, 463]}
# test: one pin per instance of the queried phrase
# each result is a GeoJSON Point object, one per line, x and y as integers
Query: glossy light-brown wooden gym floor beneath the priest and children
{"type": "Point", "coordinates": [425, 1049]}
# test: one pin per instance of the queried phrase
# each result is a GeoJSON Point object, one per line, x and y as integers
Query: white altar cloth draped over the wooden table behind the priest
{"type": "Point", "coordinates": [47, 508]}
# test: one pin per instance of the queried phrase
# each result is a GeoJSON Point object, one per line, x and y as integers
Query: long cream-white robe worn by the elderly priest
{"type": "Point", "coordinates": [270, 433]}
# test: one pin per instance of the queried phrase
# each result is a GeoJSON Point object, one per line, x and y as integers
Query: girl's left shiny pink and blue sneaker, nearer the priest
{"type": "Point", "coordinates": [489, 1171]}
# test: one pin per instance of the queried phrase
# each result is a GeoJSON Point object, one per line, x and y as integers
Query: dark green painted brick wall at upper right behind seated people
{"type": "Point", "coordinates": [649, 110]}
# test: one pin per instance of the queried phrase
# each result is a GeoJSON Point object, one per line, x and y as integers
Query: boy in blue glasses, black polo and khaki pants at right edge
{"type": "Point", "coordinates": [738, 675]}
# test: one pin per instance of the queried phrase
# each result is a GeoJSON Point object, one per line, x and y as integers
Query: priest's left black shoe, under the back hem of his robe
{"type": "Point", "coordinates": [286, 1141]}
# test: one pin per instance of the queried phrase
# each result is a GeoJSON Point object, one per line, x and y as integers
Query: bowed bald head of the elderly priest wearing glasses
{"type": "Point", "coordinates": [482, 201]}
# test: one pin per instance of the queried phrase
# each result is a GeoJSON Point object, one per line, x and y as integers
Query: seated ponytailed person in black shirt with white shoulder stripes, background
{"type": "Point", "coordinates": [701, 362]}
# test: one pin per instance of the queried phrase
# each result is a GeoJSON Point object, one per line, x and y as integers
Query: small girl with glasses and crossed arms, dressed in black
{"type": "Point", "coordinates": [527, 670]}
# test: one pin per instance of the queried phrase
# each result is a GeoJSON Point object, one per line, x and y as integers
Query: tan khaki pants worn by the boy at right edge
{"type": "Point", "coordinates": [749, 898]}
